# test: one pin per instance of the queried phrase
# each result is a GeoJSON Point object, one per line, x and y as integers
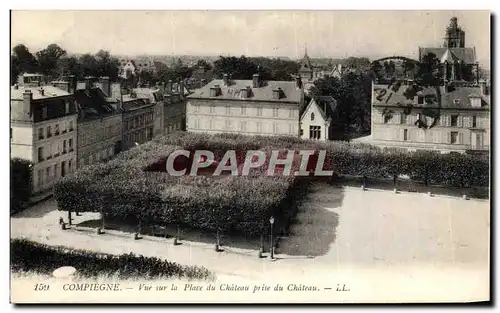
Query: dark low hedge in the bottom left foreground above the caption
{"type": "Point", "coordinates": [32, 256]}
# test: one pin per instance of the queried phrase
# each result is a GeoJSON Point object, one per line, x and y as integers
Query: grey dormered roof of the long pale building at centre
{"type": "Point", "coordinates": [264, 93]}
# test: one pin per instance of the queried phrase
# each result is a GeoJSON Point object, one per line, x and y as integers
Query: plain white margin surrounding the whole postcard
{"type": "Point", "coordinates": [185, 4]}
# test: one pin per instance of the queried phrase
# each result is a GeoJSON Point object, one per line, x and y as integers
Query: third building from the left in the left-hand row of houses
{"type": "Point", "coordinates": [138, 120]}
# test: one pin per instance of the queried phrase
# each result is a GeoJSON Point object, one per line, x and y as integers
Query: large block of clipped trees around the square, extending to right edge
{"type": "Point", "coordinates": [135, 186]}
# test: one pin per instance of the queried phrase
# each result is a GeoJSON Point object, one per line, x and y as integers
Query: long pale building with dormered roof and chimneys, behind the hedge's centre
{"type": "Point", "coordinates": [246, 106]}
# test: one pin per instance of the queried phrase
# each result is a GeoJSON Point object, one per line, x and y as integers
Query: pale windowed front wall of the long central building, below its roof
{"type": "Point", "coordinates": [242, 117]}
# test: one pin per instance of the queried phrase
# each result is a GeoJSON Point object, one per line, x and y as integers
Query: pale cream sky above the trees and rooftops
{"type": "Point", "coordinates": [332, 34]}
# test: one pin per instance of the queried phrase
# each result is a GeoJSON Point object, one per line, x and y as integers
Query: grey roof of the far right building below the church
{"type": "Point", "coordinates": [394, 98]}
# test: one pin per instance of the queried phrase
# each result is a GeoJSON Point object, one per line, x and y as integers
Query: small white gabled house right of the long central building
{"type": "Point", "coordinates": [317, 120]}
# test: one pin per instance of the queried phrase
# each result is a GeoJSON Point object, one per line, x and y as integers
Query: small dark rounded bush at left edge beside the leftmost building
{"type": "Point", "coordinates": [21, 178]}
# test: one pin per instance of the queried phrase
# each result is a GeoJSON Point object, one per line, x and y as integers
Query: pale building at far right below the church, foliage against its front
{"type": "Point", "coordinates": [444, 118]}
